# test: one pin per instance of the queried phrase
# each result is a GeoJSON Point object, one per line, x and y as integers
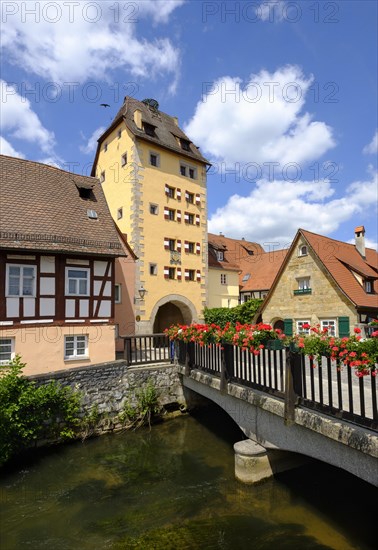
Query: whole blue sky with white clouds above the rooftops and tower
{"type": "Point", "coordinates": [280, 96]}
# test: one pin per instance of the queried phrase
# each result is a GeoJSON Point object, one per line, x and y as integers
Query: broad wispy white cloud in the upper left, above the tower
{"type": "Point", "coordinates": [78, 42]}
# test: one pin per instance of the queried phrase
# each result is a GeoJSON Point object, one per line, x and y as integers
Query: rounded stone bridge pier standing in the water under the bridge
{"type": "Point", "coordinates": [253, 462]}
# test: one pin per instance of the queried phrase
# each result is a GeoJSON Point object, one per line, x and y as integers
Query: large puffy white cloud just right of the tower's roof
{"type": "Point", "coordinates": [259, 121]}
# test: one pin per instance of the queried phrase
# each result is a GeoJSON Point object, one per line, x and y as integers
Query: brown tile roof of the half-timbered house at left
{"type": "Point", "coordinates": [41, 209]}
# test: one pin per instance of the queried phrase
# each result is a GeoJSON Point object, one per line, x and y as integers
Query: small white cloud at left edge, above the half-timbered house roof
{"type": "Point", "coordinates": [19, 120]}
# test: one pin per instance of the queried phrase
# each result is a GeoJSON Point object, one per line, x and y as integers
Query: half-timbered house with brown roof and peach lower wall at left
{"type": "Point", "coordinates": [58, 247]}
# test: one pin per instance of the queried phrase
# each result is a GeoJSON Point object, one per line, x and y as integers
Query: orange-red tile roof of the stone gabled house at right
{"type": "Point", "coordinates": [339, 258]}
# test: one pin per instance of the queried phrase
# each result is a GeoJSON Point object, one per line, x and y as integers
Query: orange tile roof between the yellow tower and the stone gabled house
{"type": "Point", "coordinates": [262, 269]}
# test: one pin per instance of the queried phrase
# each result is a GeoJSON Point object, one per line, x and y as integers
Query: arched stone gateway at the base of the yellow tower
{"type": "Point", "coordinates": [172, 309]}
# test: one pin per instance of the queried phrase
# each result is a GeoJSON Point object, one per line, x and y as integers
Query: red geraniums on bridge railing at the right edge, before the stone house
{"type": "Point", "coordinates": [349, 350]}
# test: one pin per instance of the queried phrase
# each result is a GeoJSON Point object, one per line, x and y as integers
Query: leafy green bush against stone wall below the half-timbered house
{"type": "Point", "coordinates": [29, 412]}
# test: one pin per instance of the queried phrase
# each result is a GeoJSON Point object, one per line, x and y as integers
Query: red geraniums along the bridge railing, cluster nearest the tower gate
{"type": "Point", "coordinates": [251, 337]}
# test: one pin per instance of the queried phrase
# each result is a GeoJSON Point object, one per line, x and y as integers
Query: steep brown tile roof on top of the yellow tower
{"type": "Point", "coordinates": [165, 128]}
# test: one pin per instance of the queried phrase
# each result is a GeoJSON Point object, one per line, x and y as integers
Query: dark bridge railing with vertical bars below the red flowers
{"type": "Point", "coordinates": [328, 387]}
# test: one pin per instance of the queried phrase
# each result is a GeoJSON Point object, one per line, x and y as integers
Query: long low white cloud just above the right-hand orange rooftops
{"type": "Point", "coordinates": [274, 210]}
